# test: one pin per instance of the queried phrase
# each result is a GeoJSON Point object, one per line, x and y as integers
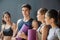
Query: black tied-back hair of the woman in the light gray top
{"type": "Point", "coordinates": [53, 14]}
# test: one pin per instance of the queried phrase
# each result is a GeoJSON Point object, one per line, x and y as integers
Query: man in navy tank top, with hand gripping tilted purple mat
{"type": "Point", "coordinates": [26, 8]}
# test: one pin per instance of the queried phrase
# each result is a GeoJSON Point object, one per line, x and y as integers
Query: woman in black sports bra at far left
{"type": "Point", "coordinates": [9, 28]}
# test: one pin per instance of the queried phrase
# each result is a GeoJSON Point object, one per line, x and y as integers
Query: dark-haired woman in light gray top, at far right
{"type": "Point", "coordinates": [51, 18]}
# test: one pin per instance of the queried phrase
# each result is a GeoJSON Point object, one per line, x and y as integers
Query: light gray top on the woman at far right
{"type": "Point", "coordinates": [54, 34]}
